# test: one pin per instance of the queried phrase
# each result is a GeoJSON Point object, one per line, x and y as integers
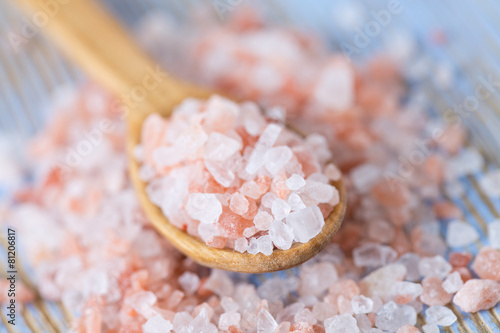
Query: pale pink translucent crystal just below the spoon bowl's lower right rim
{"type": "Point", "coordinates": [316, 278]}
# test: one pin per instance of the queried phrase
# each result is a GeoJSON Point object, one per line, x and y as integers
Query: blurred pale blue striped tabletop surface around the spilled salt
{"type": "Point", "coordinates": [449, 49]}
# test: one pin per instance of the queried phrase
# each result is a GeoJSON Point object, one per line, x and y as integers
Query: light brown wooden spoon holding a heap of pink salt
{"type": "Point", "coordinates": [96, 42]}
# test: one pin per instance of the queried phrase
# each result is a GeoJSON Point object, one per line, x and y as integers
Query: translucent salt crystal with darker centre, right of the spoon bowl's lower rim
{"type": "Point", "coordinates": [373, 255]}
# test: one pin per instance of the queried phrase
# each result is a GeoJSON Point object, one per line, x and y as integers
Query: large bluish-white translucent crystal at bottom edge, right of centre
{"type": "Point", "coordinates": [392, 316]}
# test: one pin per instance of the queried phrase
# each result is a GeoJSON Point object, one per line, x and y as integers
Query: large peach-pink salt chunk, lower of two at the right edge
{"type": "Point", "coordinates": [477, 295]}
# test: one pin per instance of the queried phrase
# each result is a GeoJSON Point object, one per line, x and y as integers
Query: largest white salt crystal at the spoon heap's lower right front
{"type": "Point", "coordinates": [306, 223]}
